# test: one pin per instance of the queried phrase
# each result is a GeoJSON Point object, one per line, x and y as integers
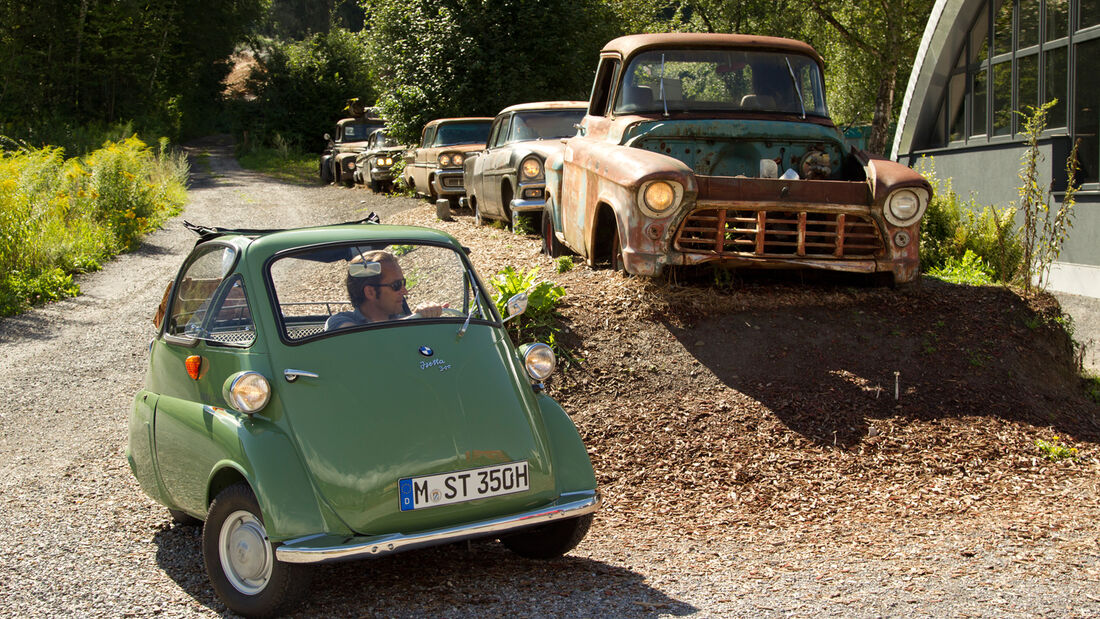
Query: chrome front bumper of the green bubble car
{"type": "Point", "coordinates": [325, 549]}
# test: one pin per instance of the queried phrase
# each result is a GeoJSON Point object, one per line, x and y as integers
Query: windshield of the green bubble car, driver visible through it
{"type": "Point", "coordinates": [346, 289]}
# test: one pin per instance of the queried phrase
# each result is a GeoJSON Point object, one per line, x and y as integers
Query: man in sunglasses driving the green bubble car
{"type": "Point", "coordinates": [378, 294]}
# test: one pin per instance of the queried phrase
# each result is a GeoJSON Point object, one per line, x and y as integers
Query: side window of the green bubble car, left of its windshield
{"type": "Point", "coordinates": [211, 305]}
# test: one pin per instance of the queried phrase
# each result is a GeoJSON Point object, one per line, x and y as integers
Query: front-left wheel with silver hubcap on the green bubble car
{"type": "Point", "coordinates": [240, 561]}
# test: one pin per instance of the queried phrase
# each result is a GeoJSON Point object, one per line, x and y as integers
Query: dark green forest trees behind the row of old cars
{"type": "Point", "coordinates": [72, 73]}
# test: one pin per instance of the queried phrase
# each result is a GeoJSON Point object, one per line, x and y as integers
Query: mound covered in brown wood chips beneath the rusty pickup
{"type": "Point", "coordinates": [812, 403]}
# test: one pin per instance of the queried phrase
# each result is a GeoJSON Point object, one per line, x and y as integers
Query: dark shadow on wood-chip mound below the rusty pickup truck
{"type": "Point", "coordinates": [829, 360]}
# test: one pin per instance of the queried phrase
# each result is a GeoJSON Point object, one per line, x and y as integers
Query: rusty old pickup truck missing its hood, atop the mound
{"type": "Point", "coordinates": [719, 149]}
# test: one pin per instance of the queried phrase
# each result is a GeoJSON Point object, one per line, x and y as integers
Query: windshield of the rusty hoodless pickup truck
{"type": "Point", "coordinates": [694, 81]}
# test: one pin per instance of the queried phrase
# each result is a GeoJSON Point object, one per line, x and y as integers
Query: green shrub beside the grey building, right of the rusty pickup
{"type": "Point", "coordinates": [952, 227]}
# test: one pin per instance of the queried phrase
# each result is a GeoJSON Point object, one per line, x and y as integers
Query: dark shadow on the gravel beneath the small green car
{"type": "Point", "coordinates": [480, 579]}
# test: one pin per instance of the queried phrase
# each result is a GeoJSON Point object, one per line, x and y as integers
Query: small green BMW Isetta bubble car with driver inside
{"type": "Point", "coordinates": [348, 392]}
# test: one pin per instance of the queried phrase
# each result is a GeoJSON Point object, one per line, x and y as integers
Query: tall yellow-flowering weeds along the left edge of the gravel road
{"type": "Point", "coordinates": [60, 217]}
